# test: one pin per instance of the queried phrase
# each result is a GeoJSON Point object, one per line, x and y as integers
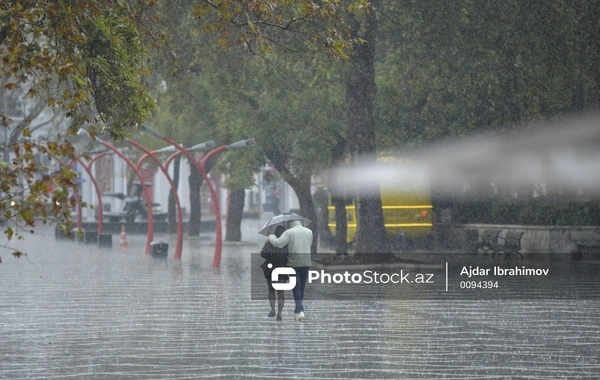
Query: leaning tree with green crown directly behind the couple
{"type": "Point", "coordinates": [293, 122]}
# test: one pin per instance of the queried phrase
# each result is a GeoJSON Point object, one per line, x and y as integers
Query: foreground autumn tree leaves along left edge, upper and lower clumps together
{"type": "Point", "coordinates": [83, 58]}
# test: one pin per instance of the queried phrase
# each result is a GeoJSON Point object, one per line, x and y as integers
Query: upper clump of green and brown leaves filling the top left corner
{"type": "Point", "coordinates": [86, 58]}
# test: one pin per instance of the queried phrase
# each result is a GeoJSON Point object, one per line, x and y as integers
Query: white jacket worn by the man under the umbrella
{"type": "Point", "coordinates": [298, 239]}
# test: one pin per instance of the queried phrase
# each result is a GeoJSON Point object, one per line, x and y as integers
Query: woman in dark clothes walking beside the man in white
{"type": "Point", "coordinates": [274, 258]}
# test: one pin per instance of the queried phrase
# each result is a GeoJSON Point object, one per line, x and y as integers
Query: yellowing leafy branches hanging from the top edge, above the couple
{"type": "Point", "coordinates": [268, 28]}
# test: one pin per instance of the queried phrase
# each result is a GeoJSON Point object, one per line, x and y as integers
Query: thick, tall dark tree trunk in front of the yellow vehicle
{"type": "Point", "coordinates": [371, 239]}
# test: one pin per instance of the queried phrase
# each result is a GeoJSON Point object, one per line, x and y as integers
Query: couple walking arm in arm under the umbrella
{"type": "Point", "coordinates": [289, 248]}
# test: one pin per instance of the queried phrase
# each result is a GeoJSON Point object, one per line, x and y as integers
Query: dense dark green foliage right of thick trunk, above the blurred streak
{"type": "Point", "coordinates": [452, 68]}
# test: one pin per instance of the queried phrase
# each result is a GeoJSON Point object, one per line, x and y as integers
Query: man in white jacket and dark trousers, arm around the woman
{"type": "Point", "coordinates": [298, 239]}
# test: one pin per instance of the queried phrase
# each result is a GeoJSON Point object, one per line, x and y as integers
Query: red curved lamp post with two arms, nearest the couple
{"type": "Point", "coordinates": [201, 169]}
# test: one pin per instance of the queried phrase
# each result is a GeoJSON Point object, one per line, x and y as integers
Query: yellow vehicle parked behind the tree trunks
{"type": "Point", "coordinates": [406, 213]}
